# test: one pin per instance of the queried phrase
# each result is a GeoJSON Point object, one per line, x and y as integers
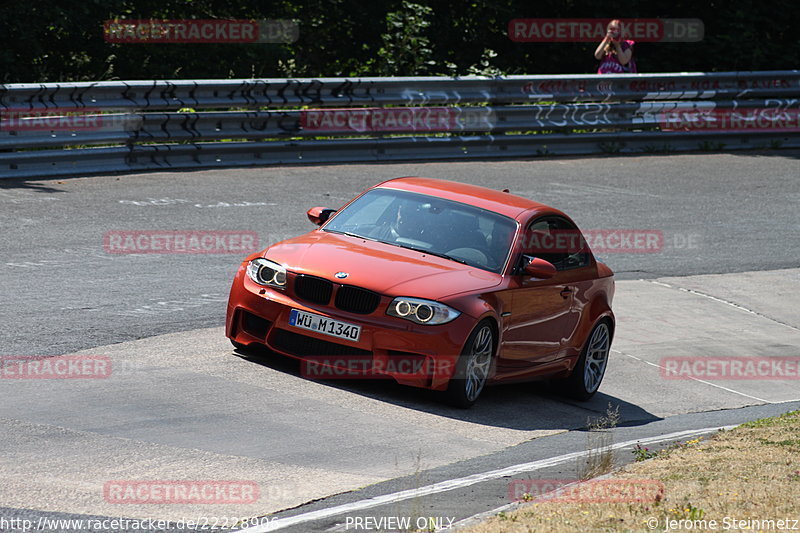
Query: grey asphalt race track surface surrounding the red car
{"type": "Point", "coordinates": [182, 404]}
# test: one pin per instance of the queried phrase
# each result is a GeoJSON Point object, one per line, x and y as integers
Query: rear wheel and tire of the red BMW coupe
{"type": "Point", "coordinates": [588, 373]}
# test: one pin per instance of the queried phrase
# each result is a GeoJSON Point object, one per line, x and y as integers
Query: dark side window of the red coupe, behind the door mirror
{"type": "Point", "coordinates": [558, 241]}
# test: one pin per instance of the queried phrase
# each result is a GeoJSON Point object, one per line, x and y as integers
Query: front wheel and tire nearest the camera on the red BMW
{"type": "Point", "coordinates": [472, 369]}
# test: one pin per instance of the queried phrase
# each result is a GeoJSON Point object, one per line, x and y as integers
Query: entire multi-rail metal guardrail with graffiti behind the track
{"type": "Point", "coordinates": [147, 125]}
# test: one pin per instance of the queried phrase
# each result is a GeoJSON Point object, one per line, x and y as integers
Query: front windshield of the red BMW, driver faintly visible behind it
{"type": "Point", "coordinates": [457, 231]}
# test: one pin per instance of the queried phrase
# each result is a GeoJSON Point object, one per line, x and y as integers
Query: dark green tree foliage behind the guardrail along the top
{"type": "Point", "coordinates": [63, 41]}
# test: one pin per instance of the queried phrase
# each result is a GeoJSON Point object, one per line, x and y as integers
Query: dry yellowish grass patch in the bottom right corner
{"type": "Point", "coordinates": [749, 473]}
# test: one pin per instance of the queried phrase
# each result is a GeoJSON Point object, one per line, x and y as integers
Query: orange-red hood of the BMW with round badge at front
{"type": "Point", "coordinates": [380, 267]}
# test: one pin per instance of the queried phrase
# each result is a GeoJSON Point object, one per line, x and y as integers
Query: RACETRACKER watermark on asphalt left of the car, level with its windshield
{"type": "Point", "coordinates": [180, 242]}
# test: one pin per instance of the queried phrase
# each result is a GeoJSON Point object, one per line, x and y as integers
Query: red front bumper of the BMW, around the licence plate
{"type": "Point", "coordinates": [411, 354]}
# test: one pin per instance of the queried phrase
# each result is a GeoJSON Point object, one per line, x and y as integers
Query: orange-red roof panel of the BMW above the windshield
{"type": "Point", "coordinates": [501, 202]}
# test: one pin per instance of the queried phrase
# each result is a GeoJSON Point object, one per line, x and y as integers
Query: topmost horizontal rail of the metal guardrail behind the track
{"type": "Point", "coordinates": [176, 94]}
